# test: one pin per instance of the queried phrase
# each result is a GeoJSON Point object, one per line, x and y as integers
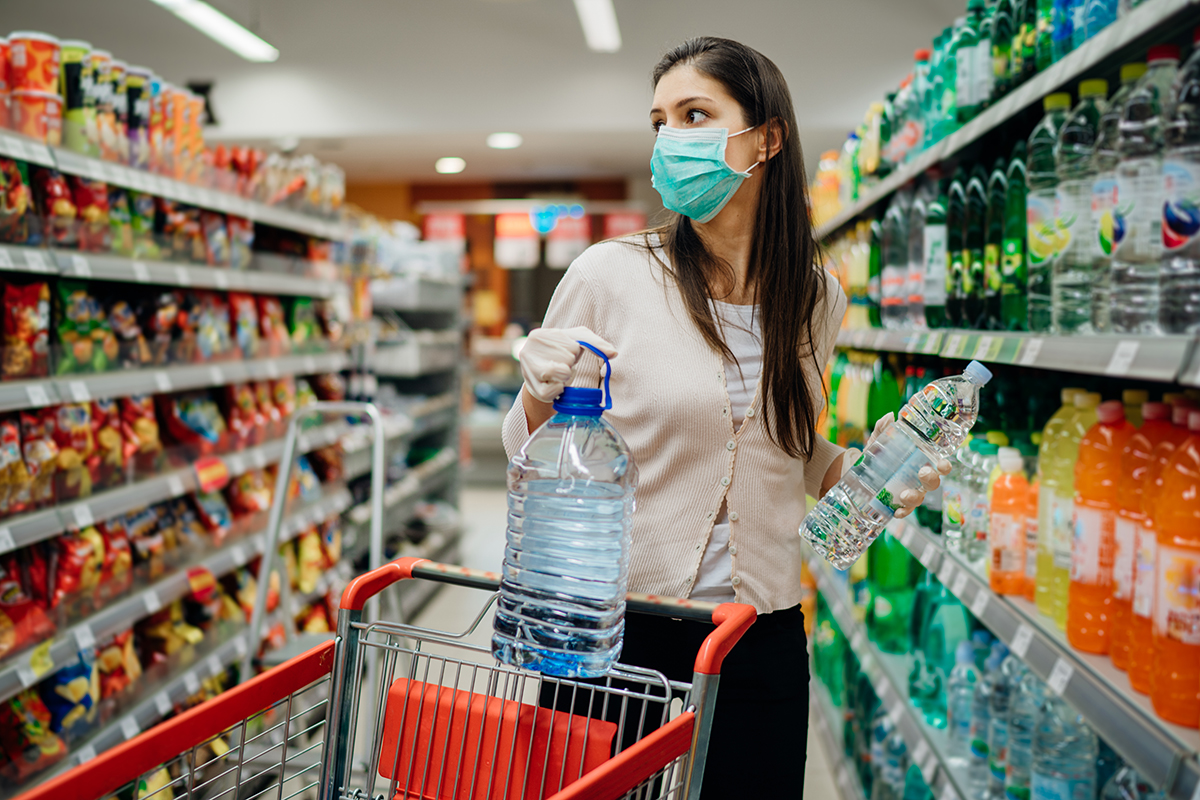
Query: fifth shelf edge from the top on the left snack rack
{"type": "Point", "coordinates": [28, 667]}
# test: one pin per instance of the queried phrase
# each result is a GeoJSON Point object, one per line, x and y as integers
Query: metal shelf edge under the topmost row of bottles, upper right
{"type": "Point", "coordinates": [1120, 40]}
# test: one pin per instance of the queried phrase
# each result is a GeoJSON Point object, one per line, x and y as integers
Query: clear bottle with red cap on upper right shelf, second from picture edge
{"type": "Point", "coordinates": [1138, 218]}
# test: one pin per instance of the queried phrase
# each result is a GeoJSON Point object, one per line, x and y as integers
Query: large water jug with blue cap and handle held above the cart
{"type": "Point", "coordinates": [562, 607]}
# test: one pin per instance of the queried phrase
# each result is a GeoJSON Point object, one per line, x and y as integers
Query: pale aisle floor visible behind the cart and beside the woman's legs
{"type": "Point", "coordinates": [483, 548]}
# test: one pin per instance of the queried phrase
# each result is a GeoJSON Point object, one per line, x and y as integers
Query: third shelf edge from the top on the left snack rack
{"type": "Point", "coordinates": [82, 388]}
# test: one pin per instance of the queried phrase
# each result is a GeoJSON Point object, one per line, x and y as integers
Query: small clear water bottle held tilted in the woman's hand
{"type": "Point", "coordinates": [931, 428]}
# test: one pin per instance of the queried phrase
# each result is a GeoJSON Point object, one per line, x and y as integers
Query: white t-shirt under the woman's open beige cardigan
{"type": "Point", "coordinates": [743, 335]}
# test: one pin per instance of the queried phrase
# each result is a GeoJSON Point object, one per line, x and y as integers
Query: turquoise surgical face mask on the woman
{"type": "Point", "coordinates": [691, 173]}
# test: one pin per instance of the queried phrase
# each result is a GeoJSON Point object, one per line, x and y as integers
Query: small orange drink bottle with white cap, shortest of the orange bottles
{"type": "Point", "coordinates": [1006, 525]}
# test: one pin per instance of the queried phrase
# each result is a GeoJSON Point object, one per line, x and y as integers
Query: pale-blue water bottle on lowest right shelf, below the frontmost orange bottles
{"type": "Point", "coordinates": [1065, 753]}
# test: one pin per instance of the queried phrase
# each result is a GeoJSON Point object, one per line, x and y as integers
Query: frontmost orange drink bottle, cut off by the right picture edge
{"type": "Point", "coordinates": [1175, 678]}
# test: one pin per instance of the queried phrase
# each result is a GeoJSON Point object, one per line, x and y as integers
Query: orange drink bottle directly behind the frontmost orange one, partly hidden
{"type": "Point", "coordinates": [1145, 588]}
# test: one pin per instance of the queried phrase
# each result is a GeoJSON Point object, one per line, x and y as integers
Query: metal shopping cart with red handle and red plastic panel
{"type": "Point", "coordinates": [449, 724]}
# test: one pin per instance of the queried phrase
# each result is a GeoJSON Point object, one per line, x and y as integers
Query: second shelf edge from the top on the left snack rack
{"type": "Point", "coordinates": [117, 268]}
